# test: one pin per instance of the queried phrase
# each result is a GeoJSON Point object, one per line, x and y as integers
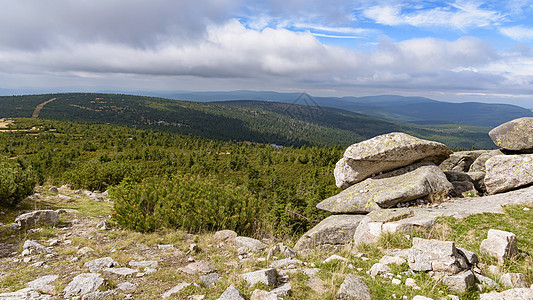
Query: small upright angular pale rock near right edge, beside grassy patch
{"type": "Point", "coordinates": [499, 244]}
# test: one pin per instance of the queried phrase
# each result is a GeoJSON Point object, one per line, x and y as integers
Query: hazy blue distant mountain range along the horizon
{"type": "Point", "coordinates": [417, 110]}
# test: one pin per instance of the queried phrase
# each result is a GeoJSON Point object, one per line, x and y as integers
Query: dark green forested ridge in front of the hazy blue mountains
{"type": "Point", "coordinates": [254, 121]}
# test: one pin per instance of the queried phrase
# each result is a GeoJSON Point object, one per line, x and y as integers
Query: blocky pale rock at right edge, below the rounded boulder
{"type": "Point", "coordinates": [507, 172]}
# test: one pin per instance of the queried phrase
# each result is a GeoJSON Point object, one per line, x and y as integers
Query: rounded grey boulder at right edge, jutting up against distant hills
{"type": "Point", "coordinates": [515, 135]}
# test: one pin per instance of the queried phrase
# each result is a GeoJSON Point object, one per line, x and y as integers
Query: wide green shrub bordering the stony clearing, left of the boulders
{"type": "Point", "coordinates": [188, 202]}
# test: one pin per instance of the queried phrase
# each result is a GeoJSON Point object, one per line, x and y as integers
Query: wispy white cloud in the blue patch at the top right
{"type": "Point", "coordinates": [458, 15]}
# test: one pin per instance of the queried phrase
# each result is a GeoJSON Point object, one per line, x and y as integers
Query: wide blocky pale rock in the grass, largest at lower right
{"type": "Point", "coordinates": [433, 255]}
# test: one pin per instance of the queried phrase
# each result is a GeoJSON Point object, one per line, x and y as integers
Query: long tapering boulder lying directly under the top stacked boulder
{"type": "Point", "coordinates": [389, 189]}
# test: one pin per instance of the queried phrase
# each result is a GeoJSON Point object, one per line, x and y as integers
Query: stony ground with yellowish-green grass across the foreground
{"type": "Point", "coordinates": [85, 256]}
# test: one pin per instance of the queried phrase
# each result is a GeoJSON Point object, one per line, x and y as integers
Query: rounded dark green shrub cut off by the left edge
{"type": "Point", "coordinates": [16, 182]}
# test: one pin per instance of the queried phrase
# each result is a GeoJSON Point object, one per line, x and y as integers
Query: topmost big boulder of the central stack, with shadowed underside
{"type": "Point", "coordinates": [385, 153]}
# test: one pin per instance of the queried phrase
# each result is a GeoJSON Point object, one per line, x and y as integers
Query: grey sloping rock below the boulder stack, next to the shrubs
{"type": "Point", "coordinates": [333, 231]}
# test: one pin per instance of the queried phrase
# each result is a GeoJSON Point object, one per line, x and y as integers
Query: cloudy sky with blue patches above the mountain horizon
{"type": "Point", "coordinates": [455, 51]}
